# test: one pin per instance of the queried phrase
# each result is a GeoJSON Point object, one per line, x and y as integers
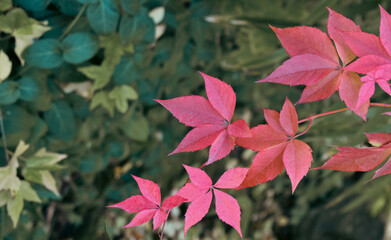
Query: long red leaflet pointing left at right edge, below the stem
{"type": "Point", "coordinates": [356, 159]}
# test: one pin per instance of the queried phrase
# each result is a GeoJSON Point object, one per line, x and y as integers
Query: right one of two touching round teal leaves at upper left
{"type": "Point", "coordinates": [79, 47]}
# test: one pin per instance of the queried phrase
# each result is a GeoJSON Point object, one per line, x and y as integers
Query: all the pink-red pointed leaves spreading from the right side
{"type": "Point", "coordinates": [315, 63]}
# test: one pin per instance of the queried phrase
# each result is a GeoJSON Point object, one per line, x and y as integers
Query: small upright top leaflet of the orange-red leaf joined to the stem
{"type": "Point", "coordinates": [288, 118]}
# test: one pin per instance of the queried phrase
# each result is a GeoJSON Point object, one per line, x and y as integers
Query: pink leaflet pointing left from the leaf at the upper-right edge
{"type": "Point", "coordinates": [362, 43]}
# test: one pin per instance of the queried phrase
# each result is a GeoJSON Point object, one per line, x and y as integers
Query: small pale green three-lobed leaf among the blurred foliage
{"type": "Point", "coordinates": [121, 95]}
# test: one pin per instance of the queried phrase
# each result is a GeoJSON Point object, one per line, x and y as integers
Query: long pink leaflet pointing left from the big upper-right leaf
{"type": "Point", "coordinates": [306, 69]}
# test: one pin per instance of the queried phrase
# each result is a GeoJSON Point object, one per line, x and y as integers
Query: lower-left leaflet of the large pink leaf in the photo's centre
{"type": "Point", "coordinates": [199, 138]}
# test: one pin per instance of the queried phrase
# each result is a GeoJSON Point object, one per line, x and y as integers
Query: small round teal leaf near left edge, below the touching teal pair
{"type": "Point", "coordinates": [30, 88]}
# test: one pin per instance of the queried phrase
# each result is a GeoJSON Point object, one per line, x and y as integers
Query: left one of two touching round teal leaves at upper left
{"type": "Point", "coordinates": [45, 53]}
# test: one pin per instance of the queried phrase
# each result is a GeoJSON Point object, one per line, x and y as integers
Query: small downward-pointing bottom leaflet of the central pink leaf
{"type": "Point", "coordinates": [221, 147]}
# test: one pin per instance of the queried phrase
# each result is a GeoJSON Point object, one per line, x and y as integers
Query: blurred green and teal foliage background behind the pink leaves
{"type": "Point", "coordinates": [85, 88]}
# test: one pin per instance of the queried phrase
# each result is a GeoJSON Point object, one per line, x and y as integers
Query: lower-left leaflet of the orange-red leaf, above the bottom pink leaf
{"type": "Point", "coordinates": [267, 164]}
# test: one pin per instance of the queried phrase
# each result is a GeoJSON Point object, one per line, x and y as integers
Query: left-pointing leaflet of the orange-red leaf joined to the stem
{"type": "Point", "coordinates": [263, 136]}
